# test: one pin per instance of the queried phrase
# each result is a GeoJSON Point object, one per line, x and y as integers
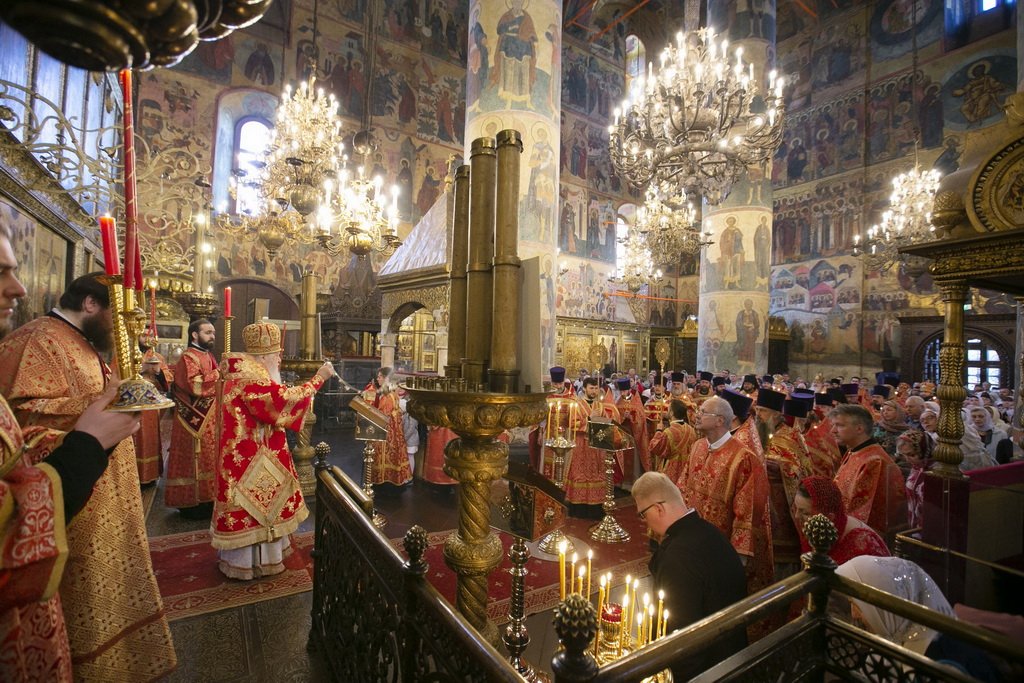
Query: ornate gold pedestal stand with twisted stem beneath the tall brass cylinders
{"type": "Point", "coordinates": [477, 459]}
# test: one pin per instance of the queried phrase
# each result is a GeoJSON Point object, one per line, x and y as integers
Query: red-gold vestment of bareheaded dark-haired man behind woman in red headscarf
{"type": "Point", "coordinates": [873, 489]}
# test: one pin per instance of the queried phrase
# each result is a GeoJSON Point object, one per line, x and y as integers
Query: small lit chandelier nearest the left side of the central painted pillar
{"type": "Point", "coordinates": [358, 217]}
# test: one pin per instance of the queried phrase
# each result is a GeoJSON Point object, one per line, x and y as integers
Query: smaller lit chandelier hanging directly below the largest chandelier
{"type": "Point", "coordinates": [668, 233]}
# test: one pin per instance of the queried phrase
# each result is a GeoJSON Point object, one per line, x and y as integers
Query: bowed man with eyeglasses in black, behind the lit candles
{"type": "Point", "coordinates": [700, 572]}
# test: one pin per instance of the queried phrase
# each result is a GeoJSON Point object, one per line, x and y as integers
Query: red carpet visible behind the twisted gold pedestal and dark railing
{"type": "Point", "coordinates": [542, 580]}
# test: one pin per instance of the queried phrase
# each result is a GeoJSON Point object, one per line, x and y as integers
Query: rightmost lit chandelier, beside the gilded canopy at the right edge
{"type": "Point", "coordinates": [908, 222]}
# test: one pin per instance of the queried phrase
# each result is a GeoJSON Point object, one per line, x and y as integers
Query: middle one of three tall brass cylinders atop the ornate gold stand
{"type": "Point", "coordinates": [480, 293]}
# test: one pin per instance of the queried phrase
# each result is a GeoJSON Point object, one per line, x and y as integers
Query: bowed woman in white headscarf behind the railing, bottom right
{"type": "Point", "coordinates": [906, 580]}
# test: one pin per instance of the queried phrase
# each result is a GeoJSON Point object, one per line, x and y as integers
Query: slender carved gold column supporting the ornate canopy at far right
{"type": "Point", "coordinates": [951, 391]}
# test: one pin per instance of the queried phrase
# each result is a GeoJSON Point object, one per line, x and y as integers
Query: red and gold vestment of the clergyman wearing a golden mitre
{"type": "Point", "coordinates": [259, 497]}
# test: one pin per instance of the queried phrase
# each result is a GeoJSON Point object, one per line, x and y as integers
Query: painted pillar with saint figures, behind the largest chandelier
{"type": "Point", "coordinates": [736, 271]}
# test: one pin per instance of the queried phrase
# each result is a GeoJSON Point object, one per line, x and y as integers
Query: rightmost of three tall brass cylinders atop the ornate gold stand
{"type": "Point", "coordinates": [504, 371]}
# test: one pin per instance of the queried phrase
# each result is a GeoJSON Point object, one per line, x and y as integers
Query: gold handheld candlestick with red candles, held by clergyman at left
{"type": "Point", "coordinates": [135, 392]}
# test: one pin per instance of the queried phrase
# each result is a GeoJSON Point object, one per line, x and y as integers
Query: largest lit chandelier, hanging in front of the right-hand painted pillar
{"type": "Point", "coordinates": [700, 122]}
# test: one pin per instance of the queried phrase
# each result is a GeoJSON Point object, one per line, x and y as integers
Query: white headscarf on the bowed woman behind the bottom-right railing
{"type": "Point", "coordinates": [905, 580]}
